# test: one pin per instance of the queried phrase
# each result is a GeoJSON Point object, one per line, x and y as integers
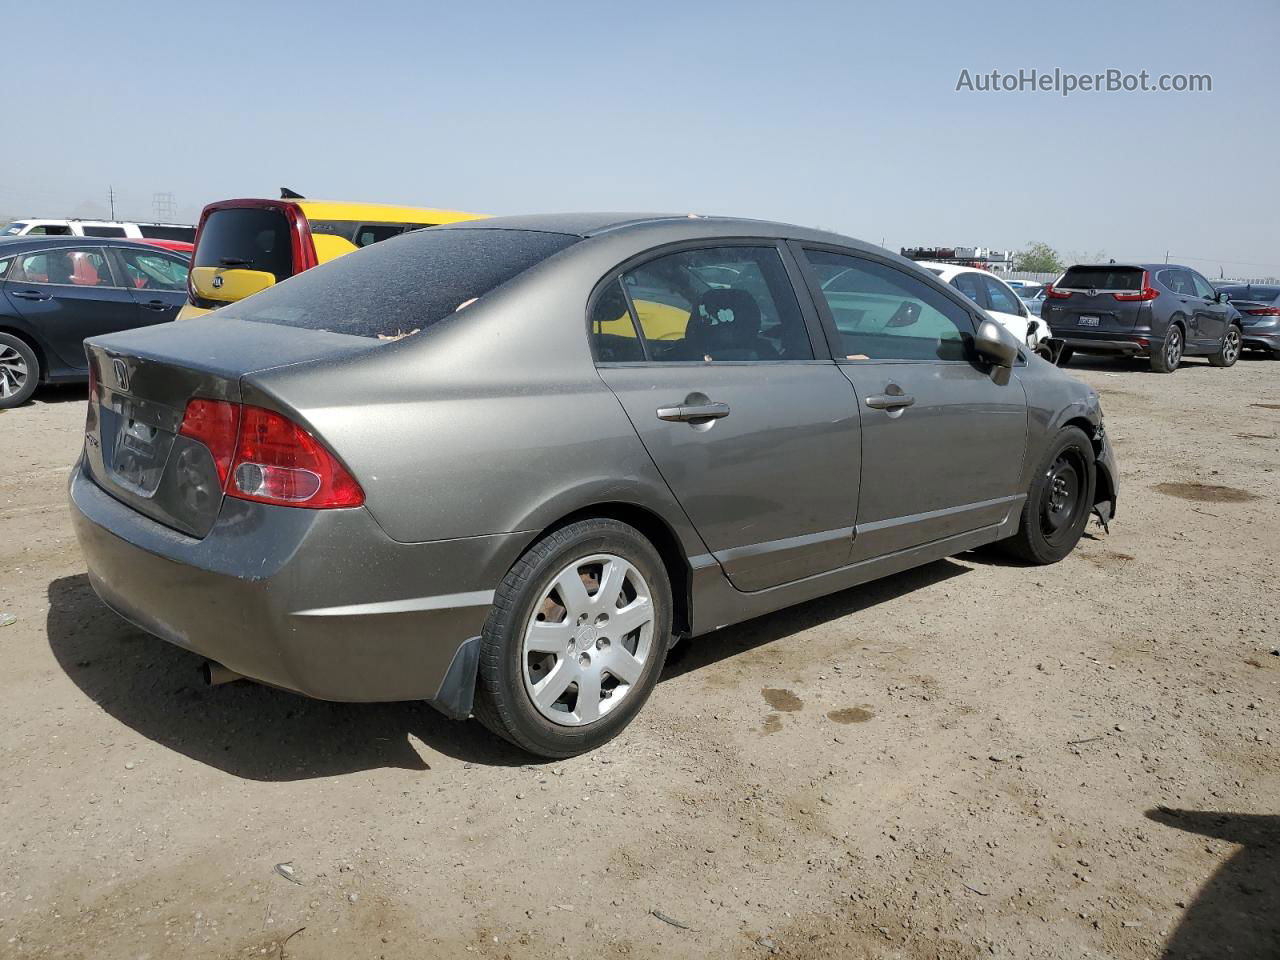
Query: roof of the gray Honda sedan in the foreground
{"type": "Point", "coordinates": [694, 226]}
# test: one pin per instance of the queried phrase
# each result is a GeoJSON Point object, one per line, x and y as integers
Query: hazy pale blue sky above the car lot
{"type": "Point", "coordinates": [835, 115]}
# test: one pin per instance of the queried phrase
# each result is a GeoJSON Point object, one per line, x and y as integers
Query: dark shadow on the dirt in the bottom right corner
{"type": "Point", "coordinates": [1237, 913]}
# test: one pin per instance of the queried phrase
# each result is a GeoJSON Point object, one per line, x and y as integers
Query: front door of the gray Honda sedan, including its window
{"type": "Point", "coordinates": [943, 442]}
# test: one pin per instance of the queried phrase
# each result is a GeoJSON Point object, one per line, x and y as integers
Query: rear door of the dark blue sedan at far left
{"type": "Point", "coordinates": [70, 294]}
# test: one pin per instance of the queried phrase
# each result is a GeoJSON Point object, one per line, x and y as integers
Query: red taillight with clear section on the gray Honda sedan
{"type": "Point", "coordinates": [264, 456]}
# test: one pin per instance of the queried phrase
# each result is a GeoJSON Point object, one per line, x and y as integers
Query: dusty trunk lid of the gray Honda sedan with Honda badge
{"type": "Point", "coordinates": [141, 382]}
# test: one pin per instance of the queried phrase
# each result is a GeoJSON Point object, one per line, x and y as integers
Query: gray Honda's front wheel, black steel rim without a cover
{"type": "Point", "coordinates": [1059, 502]}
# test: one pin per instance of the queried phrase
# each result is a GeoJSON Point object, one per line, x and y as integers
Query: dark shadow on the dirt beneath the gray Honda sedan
{"type": "Point", "coordinates": [264, 734]}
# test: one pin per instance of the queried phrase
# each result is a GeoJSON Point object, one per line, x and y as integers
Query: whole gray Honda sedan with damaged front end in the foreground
{"type": "Point", "coordinates": [504, 465]}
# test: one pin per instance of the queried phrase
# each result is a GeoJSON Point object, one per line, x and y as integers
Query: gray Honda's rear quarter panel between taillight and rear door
{"type": "Point", "coordinates": [491, 422]}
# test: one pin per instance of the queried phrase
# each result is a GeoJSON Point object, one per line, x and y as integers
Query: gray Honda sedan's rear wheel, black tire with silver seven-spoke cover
{"type": "Point", "coordinates": [554, 638]}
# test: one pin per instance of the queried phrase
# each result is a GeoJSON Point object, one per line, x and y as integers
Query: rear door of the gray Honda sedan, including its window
{"type": "Point", "coordinates": [714, 358]}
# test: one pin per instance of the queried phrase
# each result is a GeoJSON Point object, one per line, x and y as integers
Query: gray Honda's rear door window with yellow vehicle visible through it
{"type": "Point", "coordinates": [719, 304]}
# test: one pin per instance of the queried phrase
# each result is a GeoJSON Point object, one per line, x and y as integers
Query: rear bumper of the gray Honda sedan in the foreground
{"type": "Point", "coordinates": [318, 602]}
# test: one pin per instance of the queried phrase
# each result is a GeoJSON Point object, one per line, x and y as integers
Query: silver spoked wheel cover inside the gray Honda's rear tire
{"type": "Point", "coordinates": [588, 641]}
